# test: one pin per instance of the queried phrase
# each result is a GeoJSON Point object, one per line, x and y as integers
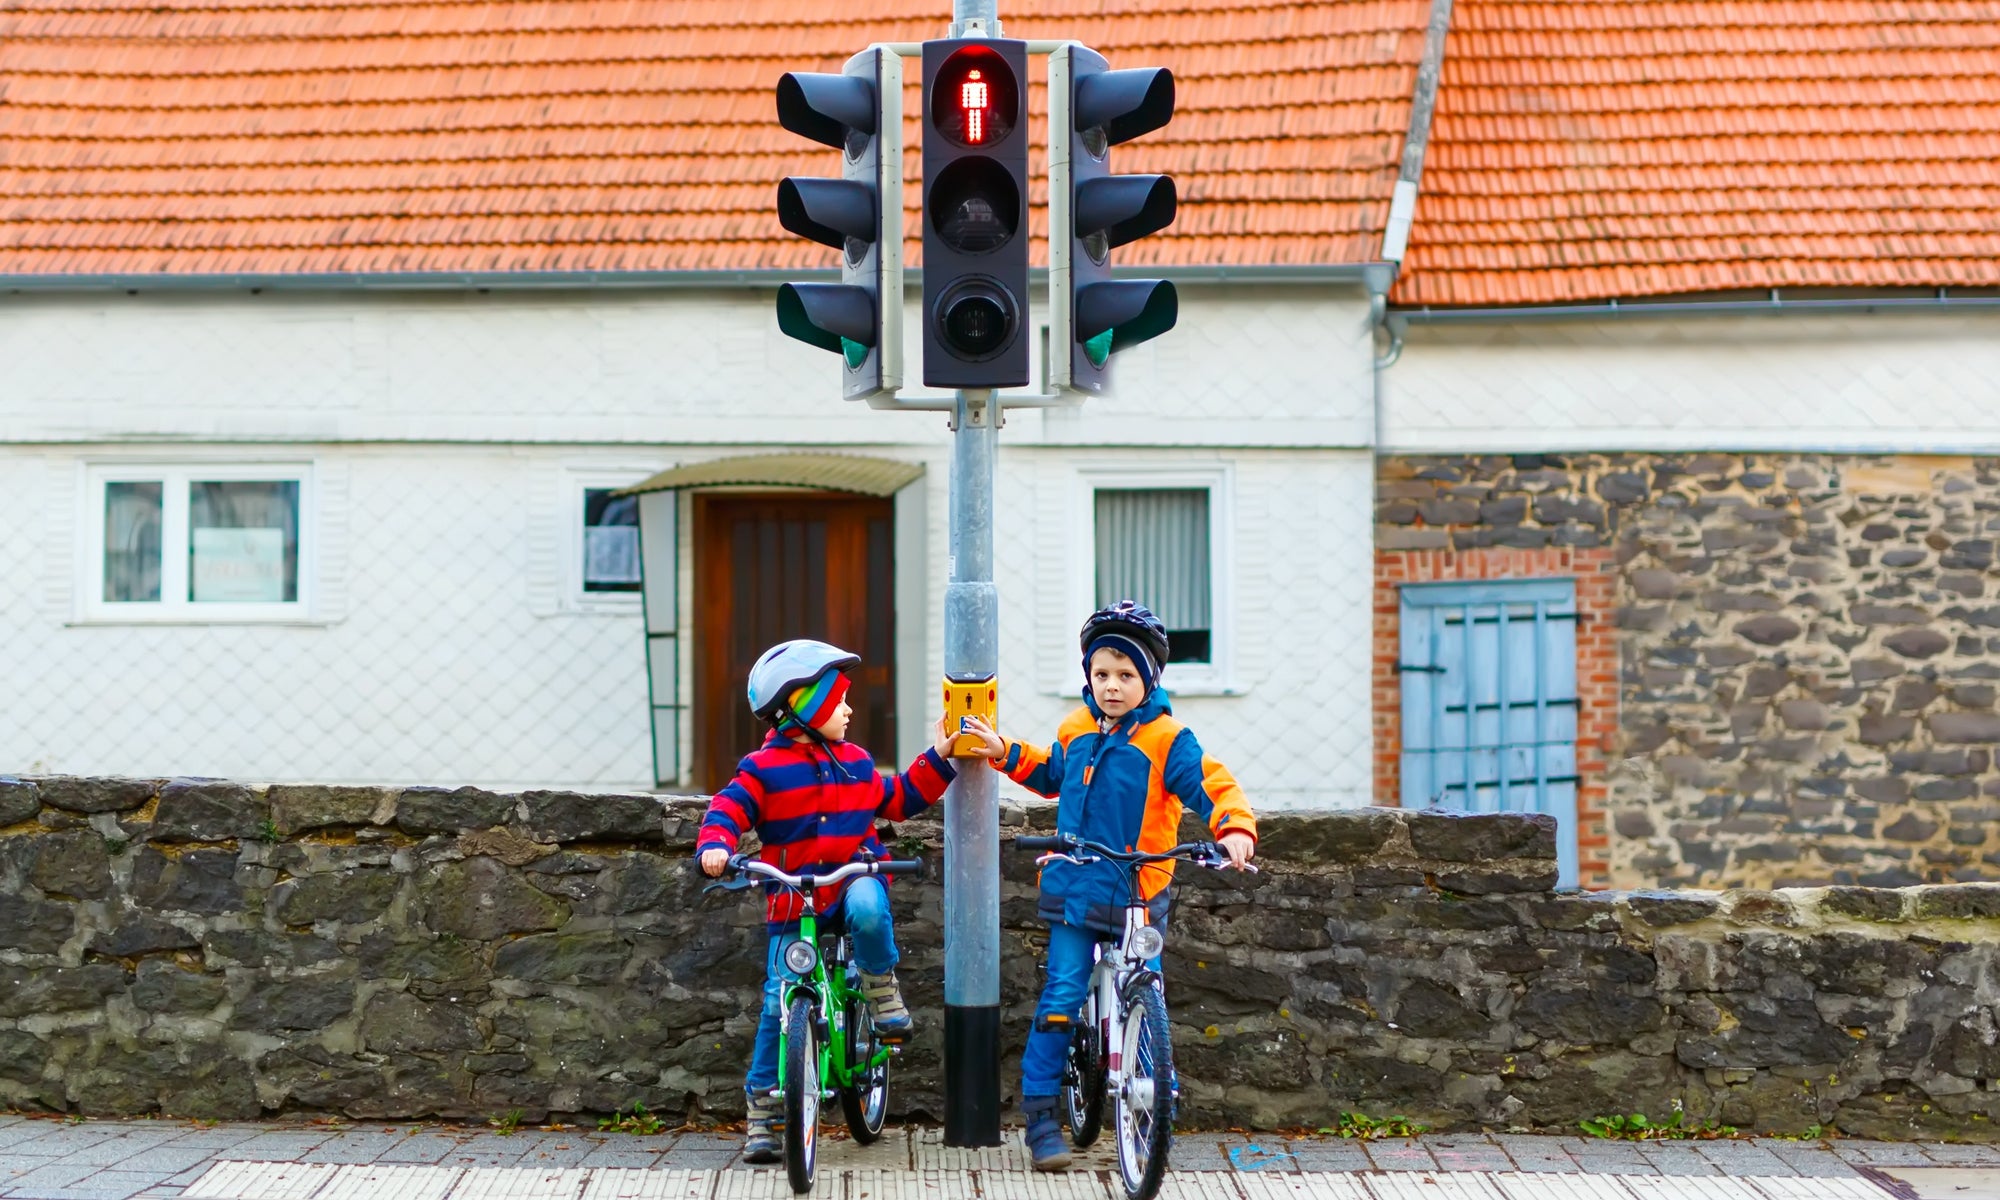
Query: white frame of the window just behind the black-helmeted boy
{"type": "Point", "coordinates": [1219, 479]}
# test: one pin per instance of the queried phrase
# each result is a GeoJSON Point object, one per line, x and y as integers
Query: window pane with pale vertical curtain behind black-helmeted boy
{"type": "Point", "coordinates": [1153, 547]}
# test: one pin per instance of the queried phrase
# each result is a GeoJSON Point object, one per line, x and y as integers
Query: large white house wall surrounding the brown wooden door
{"type": "Point", "coordinates": [445, 433]}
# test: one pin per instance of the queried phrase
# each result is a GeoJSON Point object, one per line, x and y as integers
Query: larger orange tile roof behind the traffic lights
{"type": "Point", "coordinates": [205, 137]}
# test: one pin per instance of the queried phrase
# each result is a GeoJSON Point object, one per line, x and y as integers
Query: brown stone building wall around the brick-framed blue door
{"type": "Point", "coordinates": [1809, 651]}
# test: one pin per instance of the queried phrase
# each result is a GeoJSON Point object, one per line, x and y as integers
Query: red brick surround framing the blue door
{"type": "Point", "coordinates": [1597, 669]}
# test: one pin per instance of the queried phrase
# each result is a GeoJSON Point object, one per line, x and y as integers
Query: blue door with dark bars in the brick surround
{"type": "Point", "coordinates": [1489, 701]}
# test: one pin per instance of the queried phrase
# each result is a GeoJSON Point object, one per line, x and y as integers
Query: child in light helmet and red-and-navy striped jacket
{"type": "Point", "coordinates": [813, 799]}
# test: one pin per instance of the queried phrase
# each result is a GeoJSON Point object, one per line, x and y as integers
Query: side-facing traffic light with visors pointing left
{"type": "Point", "coordinates": [861, 215]}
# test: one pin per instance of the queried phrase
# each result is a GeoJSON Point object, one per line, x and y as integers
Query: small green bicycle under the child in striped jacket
{"type": "Point", "coordinates": [827, 1043]}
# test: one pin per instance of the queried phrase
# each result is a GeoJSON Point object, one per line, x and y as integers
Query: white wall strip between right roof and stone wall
{"type": "Point", "coordinates": [1859, 383]}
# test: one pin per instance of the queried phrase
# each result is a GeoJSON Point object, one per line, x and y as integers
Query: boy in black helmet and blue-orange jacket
{"type": "Point", "coordinates": [1121, 769]}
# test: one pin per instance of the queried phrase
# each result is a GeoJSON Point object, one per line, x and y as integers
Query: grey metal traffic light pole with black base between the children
{"type": "Point", "coordinates": [973, 805]}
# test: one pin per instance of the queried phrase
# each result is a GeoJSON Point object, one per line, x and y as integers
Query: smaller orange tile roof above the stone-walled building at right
{"type": "Point", "coordinates": [1595, 149]}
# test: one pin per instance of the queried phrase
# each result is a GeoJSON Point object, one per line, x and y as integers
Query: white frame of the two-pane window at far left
{"type": "Point", "coordinates": [173, 607]}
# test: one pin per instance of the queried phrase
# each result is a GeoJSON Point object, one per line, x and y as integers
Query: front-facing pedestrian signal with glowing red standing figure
{"type": "Point", "coordinates": [975, 213]}
